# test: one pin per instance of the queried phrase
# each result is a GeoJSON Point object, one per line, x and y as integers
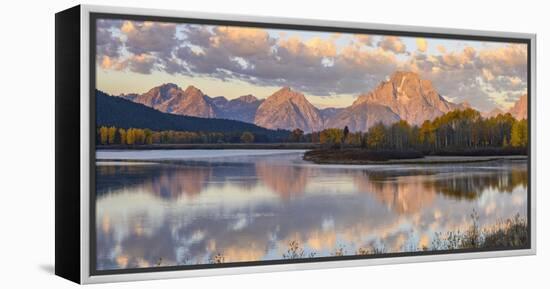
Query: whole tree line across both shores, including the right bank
{"type": "Point", "coordinates": [458, 133]}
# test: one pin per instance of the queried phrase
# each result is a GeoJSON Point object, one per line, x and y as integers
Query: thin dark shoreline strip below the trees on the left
{"type": "Point", "coordinates": [220, 146]}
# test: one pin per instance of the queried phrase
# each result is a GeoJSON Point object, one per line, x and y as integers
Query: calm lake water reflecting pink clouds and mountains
{"type": "Point", "coordinates": [248, 205]}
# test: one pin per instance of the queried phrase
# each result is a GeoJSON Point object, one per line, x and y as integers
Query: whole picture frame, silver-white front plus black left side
{"type": "Point", "coordinates": [76, 133]}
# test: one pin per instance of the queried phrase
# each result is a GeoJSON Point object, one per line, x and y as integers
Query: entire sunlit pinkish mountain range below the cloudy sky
{"type": "Point", "coordinates": [404, 96]}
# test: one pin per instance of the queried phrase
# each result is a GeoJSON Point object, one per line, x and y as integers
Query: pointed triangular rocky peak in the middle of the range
{"type": "Point", "coordinates": [288, 109]}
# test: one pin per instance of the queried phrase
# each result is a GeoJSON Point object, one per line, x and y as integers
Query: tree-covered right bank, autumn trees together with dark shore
{"type": "Point", "coordinates": [457, 133]}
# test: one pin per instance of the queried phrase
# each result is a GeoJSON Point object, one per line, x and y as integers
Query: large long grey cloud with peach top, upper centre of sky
{"type": "Point", "coordinates": [313, 66]}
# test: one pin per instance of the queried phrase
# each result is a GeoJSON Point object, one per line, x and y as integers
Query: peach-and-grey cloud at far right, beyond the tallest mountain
{"type": "Point", "coordinates": [478, 76]}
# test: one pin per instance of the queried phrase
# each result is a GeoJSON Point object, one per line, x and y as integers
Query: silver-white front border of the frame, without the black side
{"type": "Point", "coordinates": [85, 276]}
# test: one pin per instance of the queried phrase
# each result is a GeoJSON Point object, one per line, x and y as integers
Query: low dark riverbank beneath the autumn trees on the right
{"type": "Point", "coordinates": [364, 157]}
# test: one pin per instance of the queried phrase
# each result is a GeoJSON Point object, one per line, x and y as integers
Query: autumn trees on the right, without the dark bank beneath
{"type": "Point", "coordinates": [459, 129]}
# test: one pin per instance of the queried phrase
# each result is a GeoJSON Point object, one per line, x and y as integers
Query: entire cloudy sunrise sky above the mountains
{"type": "Point", "coordinates": [331, 69]}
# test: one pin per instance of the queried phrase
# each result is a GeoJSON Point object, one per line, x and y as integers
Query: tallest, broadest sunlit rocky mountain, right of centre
{"type": "Point", "coordinates": [410, 97]}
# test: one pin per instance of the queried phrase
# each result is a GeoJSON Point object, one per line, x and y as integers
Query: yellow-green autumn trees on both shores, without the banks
{"type": "Point", "coordinates": [459, 129]}
